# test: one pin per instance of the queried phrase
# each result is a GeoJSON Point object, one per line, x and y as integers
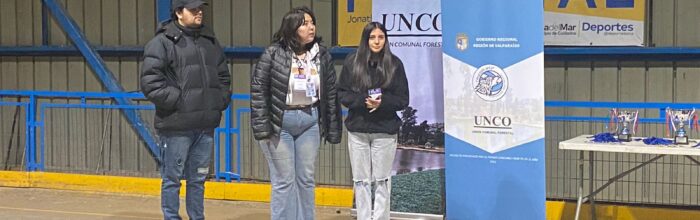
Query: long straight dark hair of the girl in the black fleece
{"type": "Point", "coordinates": [385, 66]}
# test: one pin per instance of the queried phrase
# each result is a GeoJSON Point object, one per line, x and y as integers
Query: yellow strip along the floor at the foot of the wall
{"type": "Point", "coordinates": [325, 196]}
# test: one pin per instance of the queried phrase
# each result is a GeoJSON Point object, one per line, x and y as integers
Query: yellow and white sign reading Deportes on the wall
{"type": "Point", "coordinates": [594, 22]}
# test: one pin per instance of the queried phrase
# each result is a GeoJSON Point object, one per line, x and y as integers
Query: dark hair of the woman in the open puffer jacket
{"type": "Point", "coordinates": [286, 36]}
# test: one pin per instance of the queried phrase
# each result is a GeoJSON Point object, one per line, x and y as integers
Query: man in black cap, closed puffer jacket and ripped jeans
{"type": "Point", "coordinates": [185, 74]}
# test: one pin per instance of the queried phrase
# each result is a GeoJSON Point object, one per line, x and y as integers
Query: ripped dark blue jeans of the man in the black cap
{"type": "Point", "coordinates": [186, 155]}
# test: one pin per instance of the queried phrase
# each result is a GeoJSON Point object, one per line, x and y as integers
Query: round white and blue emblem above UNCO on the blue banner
{"type": "Point", "coordinates": [490, 82]}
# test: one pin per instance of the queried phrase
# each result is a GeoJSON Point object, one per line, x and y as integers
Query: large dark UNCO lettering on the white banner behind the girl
{"type": "Point", "coordinates": [410, 22]}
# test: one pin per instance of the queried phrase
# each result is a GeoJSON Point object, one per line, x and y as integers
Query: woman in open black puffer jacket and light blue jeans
{"type": "Point", "coordinates": [294, 106]}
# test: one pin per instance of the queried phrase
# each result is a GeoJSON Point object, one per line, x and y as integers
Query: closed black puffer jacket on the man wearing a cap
{"type": "Point", "coordinates": [186, 76]}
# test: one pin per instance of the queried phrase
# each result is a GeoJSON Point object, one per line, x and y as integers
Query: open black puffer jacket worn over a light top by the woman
{"type": "Point", "coordinates": [268, 90]}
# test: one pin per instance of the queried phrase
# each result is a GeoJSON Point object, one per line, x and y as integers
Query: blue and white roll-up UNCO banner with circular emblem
{"type": "Point", "coordinates": [494, 109]}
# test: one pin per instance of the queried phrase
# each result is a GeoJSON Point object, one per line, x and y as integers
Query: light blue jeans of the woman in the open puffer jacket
{"type": "Point", "coordinates": [292, 158]}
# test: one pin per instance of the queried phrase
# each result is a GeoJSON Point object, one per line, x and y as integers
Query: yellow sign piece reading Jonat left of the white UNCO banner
{"type": "Point", "coordinates": [353, 15]}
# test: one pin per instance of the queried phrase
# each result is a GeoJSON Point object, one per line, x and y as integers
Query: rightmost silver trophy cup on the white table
{"type": "Point", "coordinates": [677, 119]}
